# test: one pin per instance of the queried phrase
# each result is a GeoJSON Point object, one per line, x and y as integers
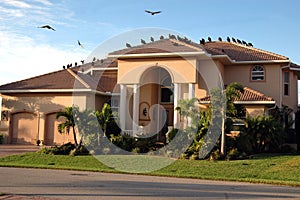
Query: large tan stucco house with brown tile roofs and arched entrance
{"type": "Point", "coordinates": [142, 81]}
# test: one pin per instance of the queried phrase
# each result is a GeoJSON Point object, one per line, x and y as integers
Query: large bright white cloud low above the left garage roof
{"type": "Point", "coordinates": [22, 58]}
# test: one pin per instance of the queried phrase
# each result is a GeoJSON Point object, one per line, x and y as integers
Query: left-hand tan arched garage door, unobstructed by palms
{"type": "Point", "coordinates": [24, 128]}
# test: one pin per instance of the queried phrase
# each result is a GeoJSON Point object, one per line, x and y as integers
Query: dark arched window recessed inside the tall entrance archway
{"type": "Point", "coordinates": [167, 90]}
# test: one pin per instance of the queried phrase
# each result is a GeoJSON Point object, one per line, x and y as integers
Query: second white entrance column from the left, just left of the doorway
{"type": "Point", "coordinates": [135, 114]}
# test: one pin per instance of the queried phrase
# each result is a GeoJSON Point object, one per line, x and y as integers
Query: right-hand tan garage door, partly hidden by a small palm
{"type": "Point", "coordinates": [52, 136]}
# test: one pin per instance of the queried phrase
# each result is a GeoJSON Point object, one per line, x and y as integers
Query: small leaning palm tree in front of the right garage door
{"type": "Point", "coordinates": [69, 123]}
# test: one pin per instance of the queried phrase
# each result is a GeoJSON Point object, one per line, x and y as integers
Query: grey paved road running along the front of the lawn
{"type": "Point", "coordinates": [63, 184]}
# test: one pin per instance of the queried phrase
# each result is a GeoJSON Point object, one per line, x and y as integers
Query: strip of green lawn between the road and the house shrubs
{"type": "Point", "coordinates": [273, 169]}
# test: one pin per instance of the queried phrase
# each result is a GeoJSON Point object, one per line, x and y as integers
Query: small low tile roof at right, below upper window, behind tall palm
{"type": "Point", "coordinates": [249, 95]}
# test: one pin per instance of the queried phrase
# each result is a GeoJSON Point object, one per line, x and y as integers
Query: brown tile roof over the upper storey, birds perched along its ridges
{"type": "Point", "coordinates": [235, 51]}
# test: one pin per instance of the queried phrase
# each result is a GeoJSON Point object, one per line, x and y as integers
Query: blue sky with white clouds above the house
{"type": "Point", "coordinates": [27, 51]}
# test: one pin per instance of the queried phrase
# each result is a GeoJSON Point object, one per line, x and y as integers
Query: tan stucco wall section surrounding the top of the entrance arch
{"type": "Point", "coordinates": [181, 70]}
